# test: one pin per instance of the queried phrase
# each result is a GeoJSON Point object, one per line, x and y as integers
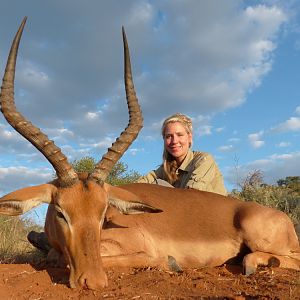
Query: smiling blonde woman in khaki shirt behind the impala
{"type": "Point", "coordinates": [182, 167]}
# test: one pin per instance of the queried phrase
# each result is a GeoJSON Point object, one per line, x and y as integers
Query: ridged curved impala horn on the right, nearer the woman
{"type": "Point", "coordinates": [126, 138]}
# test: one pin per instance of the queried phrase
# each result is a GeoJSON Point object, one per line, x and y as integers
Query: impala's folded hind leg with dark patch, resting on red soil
{"type": "Point", "coordinates": [252, 260]}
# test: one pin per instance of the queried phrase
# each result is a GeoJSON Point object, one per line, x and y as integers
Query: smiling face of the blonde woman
{"type": "Point", "coordinates": [177, 140]}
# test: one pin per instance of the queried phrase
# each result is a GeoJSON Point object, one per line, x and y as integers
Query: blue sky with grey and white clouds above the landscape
{"type": "Point", "coordinates": [233, 66]}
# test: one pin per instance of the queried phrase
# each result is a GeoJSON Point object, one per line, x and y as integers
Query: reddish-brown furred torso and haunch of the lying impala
{"type": "Point", "coordinates": [200, 228]}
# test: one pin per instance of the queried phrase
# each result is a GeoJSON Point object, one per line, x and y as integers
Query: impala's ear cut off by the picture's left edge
{"type": "Point", "coordinates": [23, 200]}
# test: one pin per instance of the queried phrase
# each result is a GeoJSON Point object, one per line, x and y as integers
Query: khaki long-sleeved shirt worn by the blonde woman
{"type": "Point", "coordinates": [198, 171]}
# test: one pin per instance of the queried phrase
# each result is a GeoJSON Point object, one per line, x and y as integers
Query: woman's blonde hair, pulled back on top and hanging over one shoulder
{"type": "Point", "coordinates": [169, 162]}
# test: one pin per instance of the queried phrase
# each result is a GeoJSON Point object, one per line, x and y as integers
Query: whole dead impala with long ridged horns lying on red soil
{"type": "Point", "coordinates": [84, 223]}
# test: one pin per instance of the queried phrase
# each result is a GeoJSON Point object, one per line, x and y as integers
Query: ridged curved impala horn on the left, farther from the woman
{"type": "Point", "coordinates": [64, 170]}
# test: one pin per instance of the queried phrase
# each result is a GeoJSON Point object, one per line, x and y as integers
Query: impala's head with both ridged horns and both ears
{"type": "Point", "coordinates": [78, 202]}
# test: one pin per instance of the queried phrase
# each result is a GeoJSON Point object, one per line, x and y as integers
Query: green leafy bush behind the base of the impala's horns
{"type": "Point", "coordinates": [119, 174]}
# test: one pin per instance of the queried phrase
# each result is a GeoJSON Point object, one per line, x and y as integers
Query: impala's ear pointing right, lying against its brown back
{"type": "Point", "coordinates": [132, 207]}
